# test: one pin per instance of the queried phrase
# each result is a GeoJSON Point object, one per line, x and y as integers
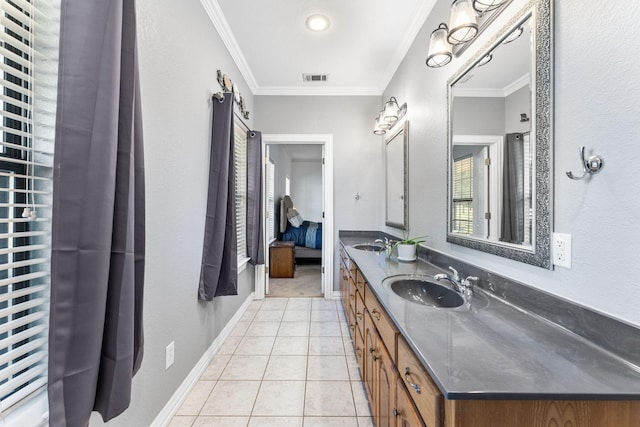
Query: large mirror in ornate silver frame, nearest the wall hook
{"type": "Point", "coordinates": [500, 112]}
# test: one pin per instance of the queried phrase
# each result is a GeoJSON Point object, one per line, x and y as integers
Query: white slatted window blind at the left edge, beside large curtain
{"type": "Point", "coordinates": [28, 51]}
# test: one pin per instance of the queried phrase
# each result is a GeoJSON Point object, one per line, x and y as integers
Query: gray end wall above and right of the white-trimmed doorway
{"type": "Point", "coordinates": [358, 167]}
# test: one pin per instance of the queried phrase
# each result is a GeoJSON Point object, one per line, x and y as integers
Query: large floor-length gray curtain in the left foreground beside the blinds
{"type": "Point", "coordinates": [98, 230]}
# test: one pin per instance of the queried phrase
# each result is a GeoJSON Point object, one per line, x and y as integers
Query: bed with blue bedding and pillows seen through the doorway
{"type": "Point", "coordinates": [306, 235]}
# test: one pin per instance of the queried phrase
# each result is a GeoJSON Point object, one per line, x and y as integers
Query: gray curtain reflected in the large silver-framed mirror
{"type": "Point", "coordinates": [513, 190]}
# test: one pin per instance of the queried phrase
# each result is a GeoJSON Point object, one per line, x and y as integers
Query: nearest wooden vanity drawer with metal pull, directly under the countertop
{"type": "Point", "coordinates": [422, 389]}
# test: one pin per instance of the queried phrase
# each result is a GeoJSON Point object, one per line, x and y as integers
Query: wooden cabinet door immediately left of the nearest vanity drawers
{"type": "Point", "coordinates": [386, 388]}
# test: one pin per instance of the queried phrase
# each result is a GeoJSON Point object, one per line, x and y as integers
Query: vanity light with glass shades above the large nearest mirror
{"type": "Point", "coordinates": [463, 27]}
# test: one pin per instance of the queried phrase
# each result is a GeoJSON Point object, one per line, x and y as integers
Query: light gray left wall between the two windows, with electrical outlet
{"type": "Point", "coordinates": [176, 82]}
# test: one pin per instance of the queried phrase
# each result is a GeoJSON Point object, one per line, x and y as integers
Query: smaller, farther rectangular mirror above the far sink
{"type": "Point", "coordinates": [397, 178]}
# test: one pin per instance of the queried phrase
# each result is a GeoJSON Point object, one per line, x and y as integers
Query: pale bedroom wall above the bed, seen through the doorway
{"type": "Point", "coordinates": [306, 188]}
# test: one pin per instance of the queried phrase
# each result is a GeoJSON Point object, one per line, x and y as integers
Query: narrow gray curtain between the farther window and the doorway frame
{"type": "Point", "coordinates": [255, 239]}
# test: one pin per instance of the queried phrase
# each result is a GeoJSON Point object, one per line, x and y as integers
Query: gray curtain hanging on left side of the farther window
{"type": "Point", "coordinates": [219, 271]}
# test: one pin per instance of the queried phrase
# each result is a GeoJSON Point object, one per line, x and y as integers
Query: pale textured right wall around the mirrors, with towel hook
{"type": "Point", "coordinates": [597, 102]}
